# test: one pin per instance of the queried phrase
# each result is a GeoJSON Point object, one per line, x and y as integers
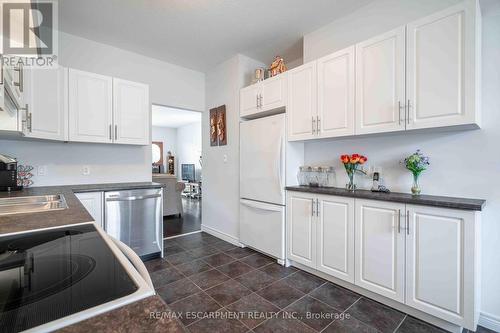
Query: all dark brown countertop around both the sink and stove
{"type": "Point", "coordinates": [133, 317]}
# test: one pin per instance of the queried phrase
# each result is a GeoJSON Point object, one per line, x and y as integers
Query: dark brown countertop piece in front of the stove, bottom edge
{"type": "Point", "coordinates": [135, 317]}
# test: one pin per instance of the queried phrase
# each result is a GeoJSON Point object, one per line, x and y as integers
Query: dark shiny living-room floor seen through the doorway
{"type": "Point", "coordinates": [190, 220]}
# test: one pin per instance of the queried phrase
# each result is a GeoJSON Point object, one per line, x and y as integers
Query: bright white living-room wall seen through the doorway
{"type": "Point", "coordinates": [189, 147]}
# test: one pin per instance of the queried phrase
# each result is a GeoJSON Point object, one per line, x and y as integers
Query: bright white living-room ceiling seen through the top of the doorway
{"type": "Point", "coordinates": [163, 116]}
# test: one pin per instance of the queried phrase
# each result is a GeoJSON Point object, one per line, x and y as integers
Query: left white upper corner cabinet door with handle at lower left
{"type": "Point", "coordinates": [46, 95]}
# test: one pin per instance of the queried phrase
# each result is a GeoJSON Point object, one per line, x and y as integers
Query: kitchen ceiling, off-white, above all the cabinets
{"type": "Point", "coordinates": [200, 34]}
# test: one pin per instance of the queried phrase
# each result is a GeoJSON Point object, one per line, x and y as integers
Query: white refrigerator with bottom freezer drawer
{"type": "Point", "coordinates": [262, 184]}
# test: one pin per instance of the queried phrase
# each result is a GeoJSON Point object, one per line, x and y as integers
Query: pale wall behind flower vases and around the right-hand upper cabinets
{"type": "Point", "coordinates": [463, 163]}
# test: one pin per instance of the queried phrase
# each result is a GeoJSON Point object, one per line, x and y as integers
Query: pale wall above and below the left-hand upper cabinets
{"type": "Point", "coordinates": [169, 85]}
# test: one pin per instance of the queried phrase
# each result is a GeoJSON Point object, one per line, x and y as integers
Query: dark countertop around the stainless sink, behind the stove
{"type": "Point", "coordinates": [75, 213]}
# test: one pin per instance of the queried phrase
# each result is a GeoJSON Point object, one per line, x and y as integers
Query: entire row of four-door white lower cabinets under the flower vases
{"type": "Point", "coordinates": [424, 257]}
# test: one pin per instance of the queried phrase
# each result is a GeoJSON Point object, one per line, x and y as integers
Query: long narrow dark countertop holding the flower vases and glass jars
{"type": "Point", "coordinates": [425, 200]}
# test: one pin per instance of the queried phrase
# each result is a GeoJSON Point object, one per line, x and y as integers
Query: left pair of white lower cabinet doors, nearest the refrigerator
{"type": "Point", "coordinates": [321, 233]}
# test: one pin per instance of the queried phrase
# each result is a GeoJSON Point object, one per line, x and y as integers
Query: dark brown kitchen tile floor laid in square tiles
{"type": "Point", "coordinates": [217, 287]}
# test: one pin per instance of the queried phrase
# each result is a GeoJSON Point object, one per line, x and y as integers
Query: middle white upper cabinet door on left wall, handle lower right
{"type": "Point", "coordinates": [90, 107]}
